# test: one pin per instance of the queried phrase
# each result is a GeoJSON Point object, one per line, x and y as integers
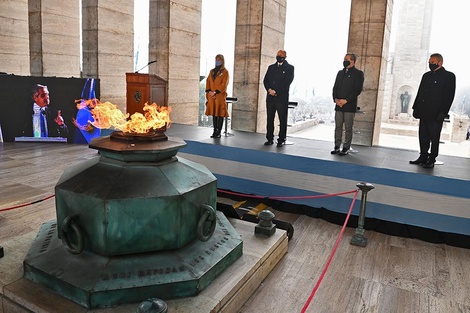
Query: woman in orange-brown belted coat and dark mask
{"type": "Point", "coordinates": [216, 95]}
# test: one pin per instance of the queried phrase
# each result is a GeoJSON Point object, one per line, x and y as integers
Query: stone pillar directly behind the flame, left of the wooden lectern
{"type": "Point", "coordinates": [108, 46]}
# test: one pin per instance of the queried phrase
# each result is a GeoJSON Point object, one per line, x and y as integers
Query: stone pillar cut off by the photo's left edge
{"type": "Point", "coordinates": [14, 39]}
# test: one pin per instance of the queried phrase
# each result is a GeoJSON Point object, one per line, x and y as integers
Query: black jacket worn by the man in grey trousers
{"type": "Point", "coordinates": [348, 86]}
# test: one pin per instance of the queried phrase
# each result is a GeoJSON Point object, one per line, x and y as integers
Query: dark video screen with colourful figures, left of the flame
{"type": "Point", "coordinates": [46, 109]}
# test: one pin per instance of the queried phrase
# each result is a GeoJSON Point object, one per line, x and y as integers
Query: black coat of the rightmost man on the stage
{"type": "Point", "coordinates": [435, 95]}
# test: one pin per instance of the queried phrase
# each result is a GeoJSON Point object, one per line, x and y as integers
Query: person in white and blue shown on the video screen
{"type": "Point", "coordinates": [46, 121]}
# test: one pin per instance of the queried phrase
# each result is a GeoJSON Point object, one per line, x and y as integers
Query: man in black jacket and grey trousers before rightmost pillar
{"type": "Point", "coordinates": [347, 87]}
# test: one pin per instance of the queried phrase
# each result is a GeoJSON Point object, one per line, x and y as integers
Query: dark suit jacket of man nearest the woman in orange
{"type": "Point", "coordinates": [279, 79]}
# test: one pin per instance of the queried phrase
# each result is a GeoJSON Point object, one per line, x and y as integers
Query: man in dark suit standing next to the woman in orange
{"type": "Point", "coordinates": [277, 81]}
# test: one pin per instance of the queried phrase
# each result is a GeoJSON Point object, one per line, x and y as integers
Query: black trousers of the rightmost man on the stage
{"type": "Point", "coordinates": [429, 136]}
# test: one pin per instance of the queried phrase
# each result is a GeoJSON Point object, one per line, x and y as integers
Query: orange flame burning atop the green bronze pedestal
{"type": "Point", "coordinates": [107, 115]}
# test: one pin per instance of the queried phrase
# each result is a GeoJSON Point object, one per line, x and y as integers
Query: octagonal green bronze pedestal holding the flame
{"type": "Point", "coordinates": [135, 222]}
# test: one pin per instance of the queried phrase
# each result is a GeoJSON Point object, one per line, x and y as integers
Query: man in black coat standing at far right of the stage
{"type": "Point", "coordinates": [432, 104]}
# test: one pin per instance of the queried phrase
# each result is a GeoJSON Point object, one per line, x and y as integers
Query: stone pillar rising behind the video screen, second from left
{"type": "Point", "coordinates": [54, 38]}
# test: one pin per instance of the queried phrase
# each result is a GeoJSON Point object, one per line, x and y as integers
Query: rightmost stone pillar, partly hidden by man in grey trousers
{"type": "Point", "coordinates": [369, 36]}
